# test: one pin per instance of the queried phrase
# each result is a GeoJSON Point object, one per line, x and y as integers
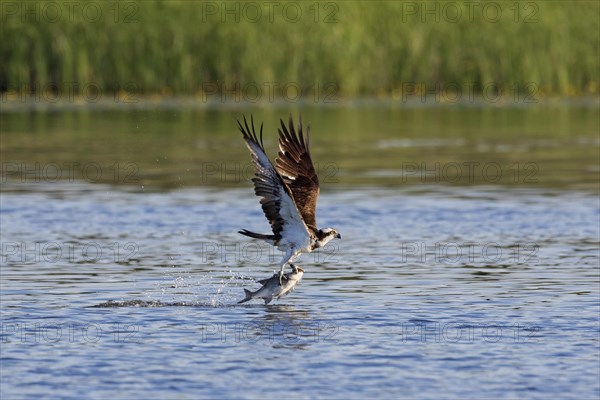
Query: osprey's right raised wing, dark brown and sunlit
{"type": "Point", "coordinates": [296, 168]}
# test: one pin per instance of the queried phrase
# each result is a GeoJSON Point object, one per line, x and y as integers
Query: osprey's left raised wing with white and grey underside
{"type": "Point", "coordinates": [276, 199]}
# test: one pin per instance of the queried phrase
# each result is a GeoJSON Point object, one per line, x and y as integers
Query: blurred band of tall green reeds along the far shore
{"type": "Point", "coordinates": [363, 48]}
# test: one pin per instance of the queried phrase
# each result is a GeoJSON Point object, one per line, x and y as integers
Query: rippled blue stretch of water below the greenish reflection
{"type": "Point", "coordinates": [454, 292]}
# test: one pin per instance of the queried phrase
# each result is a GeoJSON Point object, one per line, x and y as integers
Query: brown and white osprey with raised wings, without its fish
{"type": "Point", "coordinates": [288, 191]}
